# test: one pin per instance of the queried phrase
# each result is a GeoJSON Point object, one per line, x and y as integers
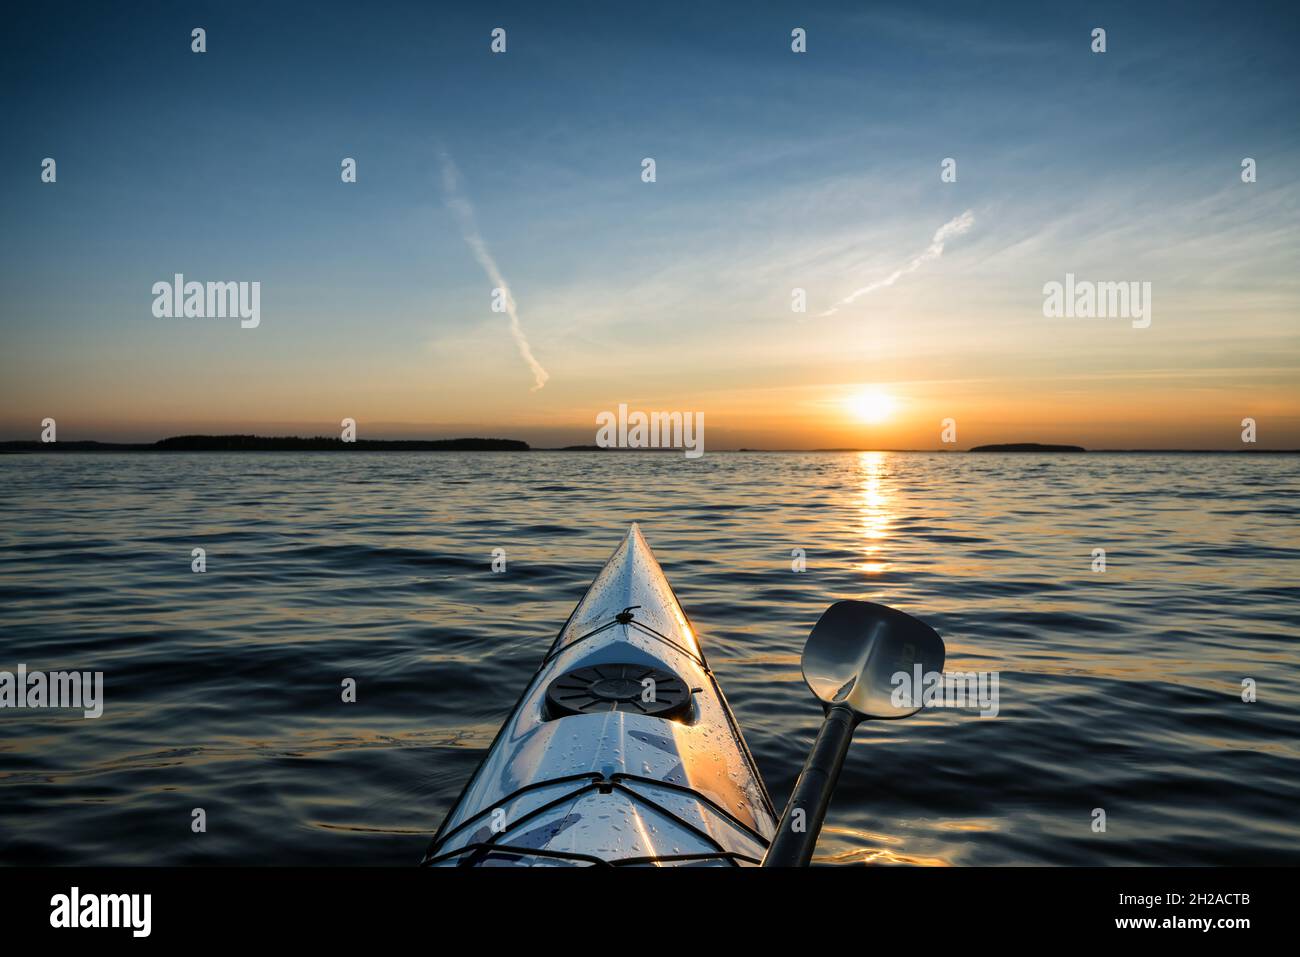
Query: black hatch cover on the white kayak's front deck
{"type": "Point", "coordinates": [635, 688]}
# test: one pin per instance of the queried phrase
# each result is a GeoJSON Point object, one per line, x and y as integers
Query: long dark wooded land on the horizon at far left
{"type": "Point", "coordinates": [276, 444]}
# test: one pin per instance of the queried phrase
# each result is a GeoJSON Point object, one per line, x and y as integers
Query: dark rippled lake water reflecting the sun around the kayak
{"type": "Point", "coordinates": [1120, 691]}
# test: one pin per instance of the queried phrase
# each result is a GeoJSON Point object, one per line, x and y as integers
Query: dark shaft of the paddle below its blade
{"type": "Point", "coordinates": [794, 847]}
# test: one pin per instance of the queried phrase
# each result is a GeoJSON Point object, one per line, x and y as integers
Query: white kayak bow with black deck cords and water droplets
{"type": "Point", "coordinates": [622, 751]}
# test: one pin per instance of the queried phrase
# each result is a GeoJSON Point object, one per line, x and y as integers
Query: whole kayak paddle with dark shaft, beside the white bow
{"type": "Point", "coordinates": [852, 655]}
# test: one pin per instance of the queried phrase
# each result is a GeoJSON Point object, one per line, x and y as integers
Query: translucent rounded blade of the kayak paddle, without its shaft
{"type": "Point", "coordinates": [855, 652]}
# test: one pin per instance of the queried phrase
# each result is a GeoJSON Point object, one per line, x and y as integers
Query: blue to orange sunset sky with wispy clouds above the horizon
{"type": "Point", "coordinates": [774, 171]}
